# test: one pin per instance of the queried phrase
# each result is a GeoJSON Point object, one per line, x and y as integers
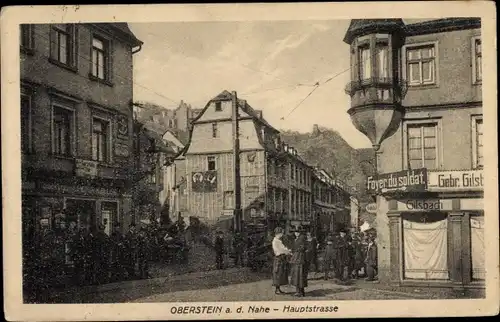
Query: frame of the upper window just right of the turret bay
{"type": "Point", "coordinates": [405, 64]}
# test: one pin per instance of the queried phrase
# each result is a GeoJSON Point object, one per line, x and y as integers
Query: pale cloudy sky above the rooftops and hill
{"type": "Point", "coordinates": [263, 61]}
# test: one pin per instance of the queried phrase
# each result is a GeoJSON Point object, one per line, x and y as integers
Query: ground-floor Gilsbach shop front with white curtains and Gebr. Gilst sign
{"type": "Point", "coordinates": [437, 235]}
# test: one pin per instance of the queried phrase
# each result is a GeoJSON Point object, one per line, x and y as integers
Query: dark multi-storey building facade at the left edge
{"type": "Point", "coordinates": [76, 94]}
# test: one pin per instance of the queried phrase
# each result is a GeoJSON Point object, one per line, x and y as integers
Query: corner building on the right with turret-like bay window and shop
{"type": "Point", "coordinates": [416, 93]}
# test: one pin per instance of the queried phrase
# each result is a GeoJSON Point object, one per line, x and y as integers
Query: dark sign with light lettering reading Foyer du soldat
{"type": "Point", "coordinates": [408, 180]}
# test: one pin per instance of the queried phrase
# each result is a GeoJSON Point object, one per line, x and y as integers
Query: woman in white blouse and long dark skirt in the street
{"type": "Point", "coordinates": [280, 273]}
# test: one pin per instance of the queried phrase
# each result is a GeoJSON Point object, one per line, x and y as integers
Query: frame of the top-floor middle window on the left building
{"type": "Point", "coordinates": [71, 33]}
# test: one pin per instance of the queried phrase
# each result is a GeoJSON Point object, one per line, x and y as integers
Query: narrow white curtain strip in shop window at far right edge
{"type": "Point", "coordinates": [477, 247]}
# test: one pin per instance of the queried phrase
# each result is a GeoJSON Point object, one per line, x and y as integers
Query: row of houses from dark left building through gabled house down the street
{"type": "Point", "coordinates": [86, 156]}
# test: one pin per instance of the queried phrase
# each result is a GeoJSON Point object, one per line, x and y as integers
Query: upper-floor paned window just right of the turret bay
{"type": "Point", "coordinates": [421, 65]}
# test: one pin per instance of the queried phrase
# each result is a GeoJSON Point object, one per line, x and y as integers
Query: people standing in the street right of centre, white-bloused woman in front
{"type": "Point", "coordinates": [350, 256]}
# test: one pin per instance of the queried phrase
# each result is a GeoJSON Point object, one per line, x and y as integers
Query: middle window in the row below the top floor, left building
{"type": "Point", "coordinates": [62, 131]}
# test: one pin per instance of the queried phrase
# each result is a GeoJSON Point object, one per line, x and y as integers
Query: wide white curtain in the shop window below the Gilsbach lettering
{"type": "Point", "coordinates": [425, 249]}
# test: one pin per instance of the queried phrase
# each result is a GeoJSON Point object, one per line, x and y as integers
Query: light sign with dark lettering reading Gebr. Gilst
{"type": "Point", "coordinates": [471, 180]}
